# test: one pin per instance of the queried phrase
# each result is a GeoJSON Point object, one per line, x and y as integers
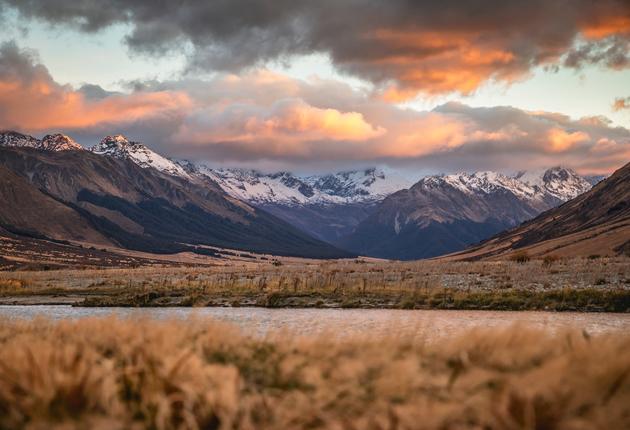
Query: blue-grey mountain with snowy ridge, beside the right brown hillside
{"type": "Point", "coordinates": [443, 214]}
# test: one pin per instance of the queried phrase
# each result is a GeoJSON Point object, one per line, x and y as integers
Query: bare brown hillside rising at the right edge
{"type": "Point", "coordinates": [596, 222]}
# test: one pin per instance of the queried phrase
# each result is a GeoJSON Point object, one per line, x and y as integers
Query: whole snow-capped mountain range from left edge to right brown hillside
{"type": "Point", "coordinates": [120, 192]}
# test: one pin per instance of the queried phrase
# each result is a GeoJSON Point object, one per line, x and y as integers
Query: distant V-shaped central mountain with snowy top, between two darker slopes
{"type": "Point", "coordinates": [327, 207]}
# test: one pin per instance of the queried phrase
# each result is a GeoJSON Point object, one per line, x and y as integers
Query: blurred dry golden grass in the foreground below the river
{"type": "Point", "coordinates": [115, 374]}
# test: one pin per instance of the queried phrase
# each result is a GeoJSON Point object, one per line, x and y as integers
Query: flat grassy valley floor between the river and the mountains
{"type": "Point", "coordinates": [584, 284]}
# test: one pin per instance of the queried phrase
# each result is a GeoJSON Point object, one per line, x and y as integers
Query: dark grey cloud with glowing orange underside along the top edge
{"type": "Point", "coordinates": [403, 47]}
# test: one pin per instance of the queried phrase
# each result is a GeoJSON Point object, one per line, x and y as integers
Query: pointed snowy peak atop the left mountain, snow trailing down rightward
{"type": "Point", "coordinates": [119, 146]}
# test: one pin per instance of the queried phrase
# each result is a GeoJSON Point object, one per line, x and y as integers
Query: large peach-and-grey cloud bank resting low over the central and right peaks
{"type": "Point", "coordinates": [264, 117]}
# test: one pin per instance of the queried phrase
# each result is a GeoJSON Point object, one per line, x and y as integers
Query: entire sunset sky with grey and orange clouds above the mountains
{"type": "Point", "coordinates": [321, 86]}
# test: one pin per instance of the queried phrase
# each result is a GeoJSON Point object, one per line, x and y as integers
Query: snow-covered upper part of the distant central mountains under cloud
{"type": "Point", "coordinates": [284, 188]}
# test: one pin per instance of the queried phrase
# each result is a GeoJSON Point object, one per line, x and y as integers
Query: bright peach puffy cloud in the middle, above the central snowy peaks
{"type": "Point", "coordinates": [288, 127]}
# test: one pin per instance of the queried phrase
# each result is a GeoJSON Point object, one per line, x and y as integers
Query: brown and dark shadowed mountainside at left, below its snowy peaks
{"type": "Point", "coordinates": [82, 196]}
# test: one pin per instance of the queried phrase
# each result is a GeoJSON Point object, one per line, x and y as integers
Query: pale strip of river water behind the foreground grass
{"type": "Point", "coordinates": [372, 322]}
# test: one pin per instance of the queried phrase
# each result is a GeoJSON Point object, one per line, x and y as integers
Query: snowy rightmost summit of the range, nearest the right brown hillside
{"type": "Point", "coordinates": [559, 182]}
